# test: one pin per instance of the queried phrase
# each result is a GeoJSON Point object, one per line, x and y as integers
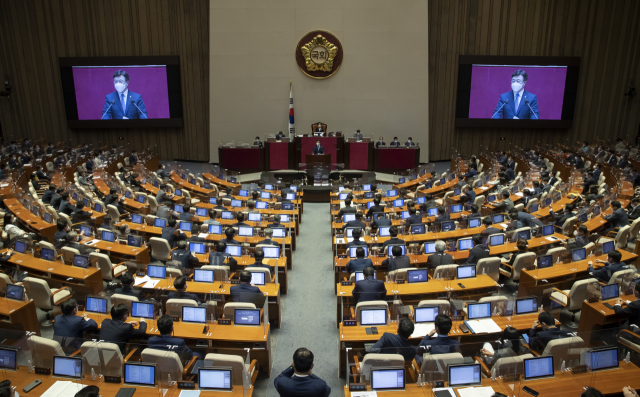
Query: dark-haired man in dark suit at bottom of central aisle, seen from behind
{"type": "Point", "coordinates": [297, 380]}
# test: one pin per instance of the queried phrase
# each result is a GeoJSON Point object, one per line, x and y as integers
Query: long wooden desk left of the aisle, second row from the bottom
{"type": "Point", "coordinates": [255, 338]}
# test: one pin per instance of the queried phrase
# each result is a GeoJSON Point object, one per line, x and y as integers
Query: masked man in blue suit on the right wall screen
{"type": "Point", "coordinates": [517, 103]}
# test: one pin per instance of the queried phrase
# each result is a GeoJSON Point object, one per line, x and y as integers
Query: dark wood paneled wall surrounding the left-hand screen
{"type": "Point", "coordinates": [35, 33]}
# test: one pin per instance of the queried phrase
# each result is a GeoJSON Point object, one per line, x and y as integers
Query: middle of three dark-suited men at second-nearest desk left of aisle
{"type": "Point", "coordinates": [117, 330]}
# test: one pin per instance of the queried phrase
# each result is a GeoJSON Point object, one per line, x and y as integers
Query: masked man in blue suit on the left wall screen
{"type": "Point", "coordinates": [122, 103]}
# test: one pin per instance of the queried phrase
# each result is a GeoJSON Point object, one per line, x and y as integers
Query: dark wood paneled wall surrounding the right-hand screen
{"type": "Point", "coordinates": [604, 33]}
